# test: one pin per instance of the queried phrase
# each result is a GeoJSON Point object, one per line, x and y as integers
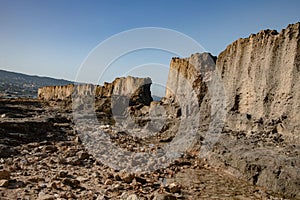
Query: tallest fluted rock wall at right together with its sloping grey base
{"type": "Point", "coordinates": [261, 78]}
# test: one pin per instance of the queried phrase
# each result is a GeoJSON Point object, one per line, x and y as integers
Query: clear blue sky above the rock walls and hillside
{"type": "Point", "coordinates": [56, 37]}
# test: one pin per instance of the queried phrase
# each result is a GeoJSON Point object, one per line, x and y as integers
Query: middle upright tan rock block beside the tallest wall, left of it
{"type": "Point", "coordinates": [187, 83]}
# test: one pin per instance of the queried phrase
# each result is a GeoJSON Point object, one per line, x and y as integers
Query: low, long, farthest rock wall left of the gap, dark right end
{"type": "Point", "coordinates": [137, 89]}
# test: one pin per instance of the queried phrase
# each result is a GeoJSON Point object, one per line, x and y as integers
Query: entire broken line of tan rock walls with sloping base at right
{"type": "Point", "coordinates": [242, 107]}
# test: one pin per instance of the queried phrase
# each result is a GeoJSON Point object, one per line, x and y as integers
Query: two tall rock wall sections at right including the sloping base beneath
{"type": "Point", "coordinates": [259, 83]}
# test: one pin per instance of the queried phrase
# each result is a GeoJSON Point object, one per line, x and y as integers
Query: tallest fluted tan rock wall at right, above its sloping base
{"type": "Point", "coordinates": [261, 75]}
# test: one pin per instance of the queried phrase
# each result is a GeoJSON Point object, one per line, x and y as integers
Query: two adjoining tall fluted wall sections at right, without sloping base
{"type": "Point", "coordinates": [260, 76]}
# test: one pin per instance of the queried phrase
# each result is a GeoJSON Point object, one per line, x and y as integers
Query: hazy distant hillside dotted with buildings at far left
{"type": "Point", "coordinates": [21, 85]}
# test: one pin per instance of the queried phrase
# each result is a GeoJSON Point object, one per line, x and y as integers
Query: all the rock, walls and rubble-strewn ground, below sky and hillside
{"type": "Point", "coordinates": [244, 109]}
